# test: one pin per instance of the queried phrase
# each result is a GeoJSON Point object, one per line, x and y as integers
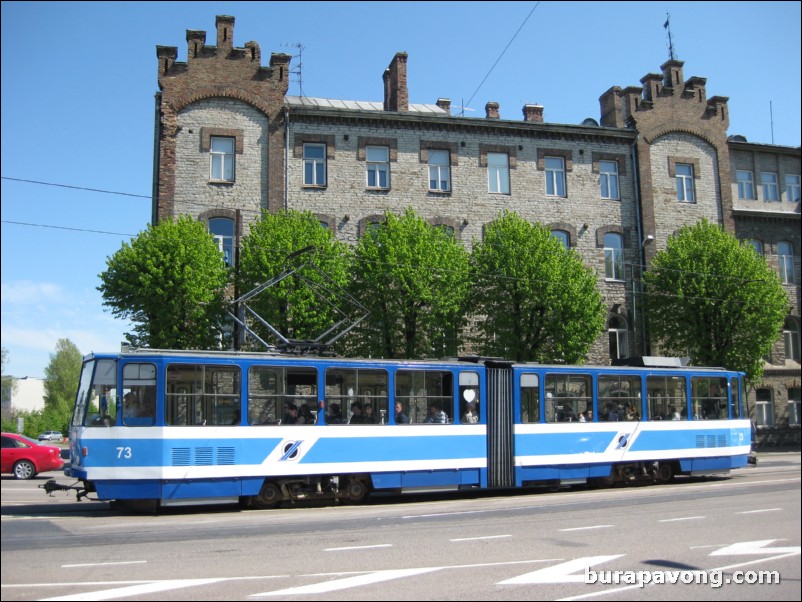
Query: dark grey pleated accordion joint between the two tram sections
{"type": "Point", "coordinates": [500, 446]}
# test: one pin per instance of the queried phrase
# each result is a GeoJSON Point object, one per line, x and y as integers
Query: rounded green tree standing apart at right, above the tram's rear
{"type": "Point", "coordinates": [714, 299]}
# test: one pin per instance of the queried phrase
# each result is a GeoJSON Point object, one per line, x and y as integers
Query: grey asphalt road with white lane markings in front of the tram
{"type": "Point", "coordinates": [572, 544]}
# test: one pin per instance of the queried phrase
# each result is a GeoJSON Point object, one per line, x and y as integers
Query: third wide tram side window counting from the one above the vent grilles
{"type": "Point", "coordinates": [356, 396]}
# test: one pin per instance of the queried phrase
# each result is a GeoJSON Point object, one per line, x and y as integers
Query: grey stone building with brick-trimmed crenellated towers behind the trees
{"type": "Point", "coordinates": [231, 143]}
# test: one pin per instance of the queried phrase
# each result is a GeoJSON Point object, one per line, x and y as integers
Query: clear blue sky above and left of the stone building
{"type": "Point", "coordinates": [79, 78]}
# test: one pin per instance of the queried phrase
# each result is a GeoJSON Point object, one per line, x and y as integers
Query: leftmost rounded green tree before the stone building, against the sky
{"type": "Point", "coordinates": [170, 282]}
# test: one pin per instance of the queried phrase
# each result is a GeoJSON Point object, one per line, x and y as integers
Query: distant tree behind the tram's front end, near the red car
{"type": "Point", "coordinates": [61, 383]}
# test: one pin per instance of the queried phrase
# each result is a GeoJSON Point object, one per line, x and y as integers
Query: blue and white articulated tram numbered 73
{"type": "Point", "coordinates": [174, 426]}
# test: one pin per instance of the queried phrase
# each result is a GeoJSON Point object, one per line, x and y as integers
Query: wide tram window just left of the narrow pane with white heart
{"type": "Point", "coordinates": [426, 396]}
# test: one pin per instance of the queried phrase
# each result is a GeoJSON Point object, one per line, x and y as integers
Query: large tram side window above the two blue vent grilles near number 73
{"type": "Point", "coordinates": [201, 395]}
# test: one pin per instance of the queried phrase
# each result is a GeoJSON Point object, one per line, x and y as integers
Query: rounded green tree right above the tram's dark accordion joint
{"type": "Point", "coordinates": [539, 302]}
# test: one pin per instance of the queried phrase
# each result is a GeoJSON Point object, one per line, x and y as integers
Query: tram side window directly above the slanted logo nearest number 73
{"type": "Point", "coordinates": [273, 389]}
